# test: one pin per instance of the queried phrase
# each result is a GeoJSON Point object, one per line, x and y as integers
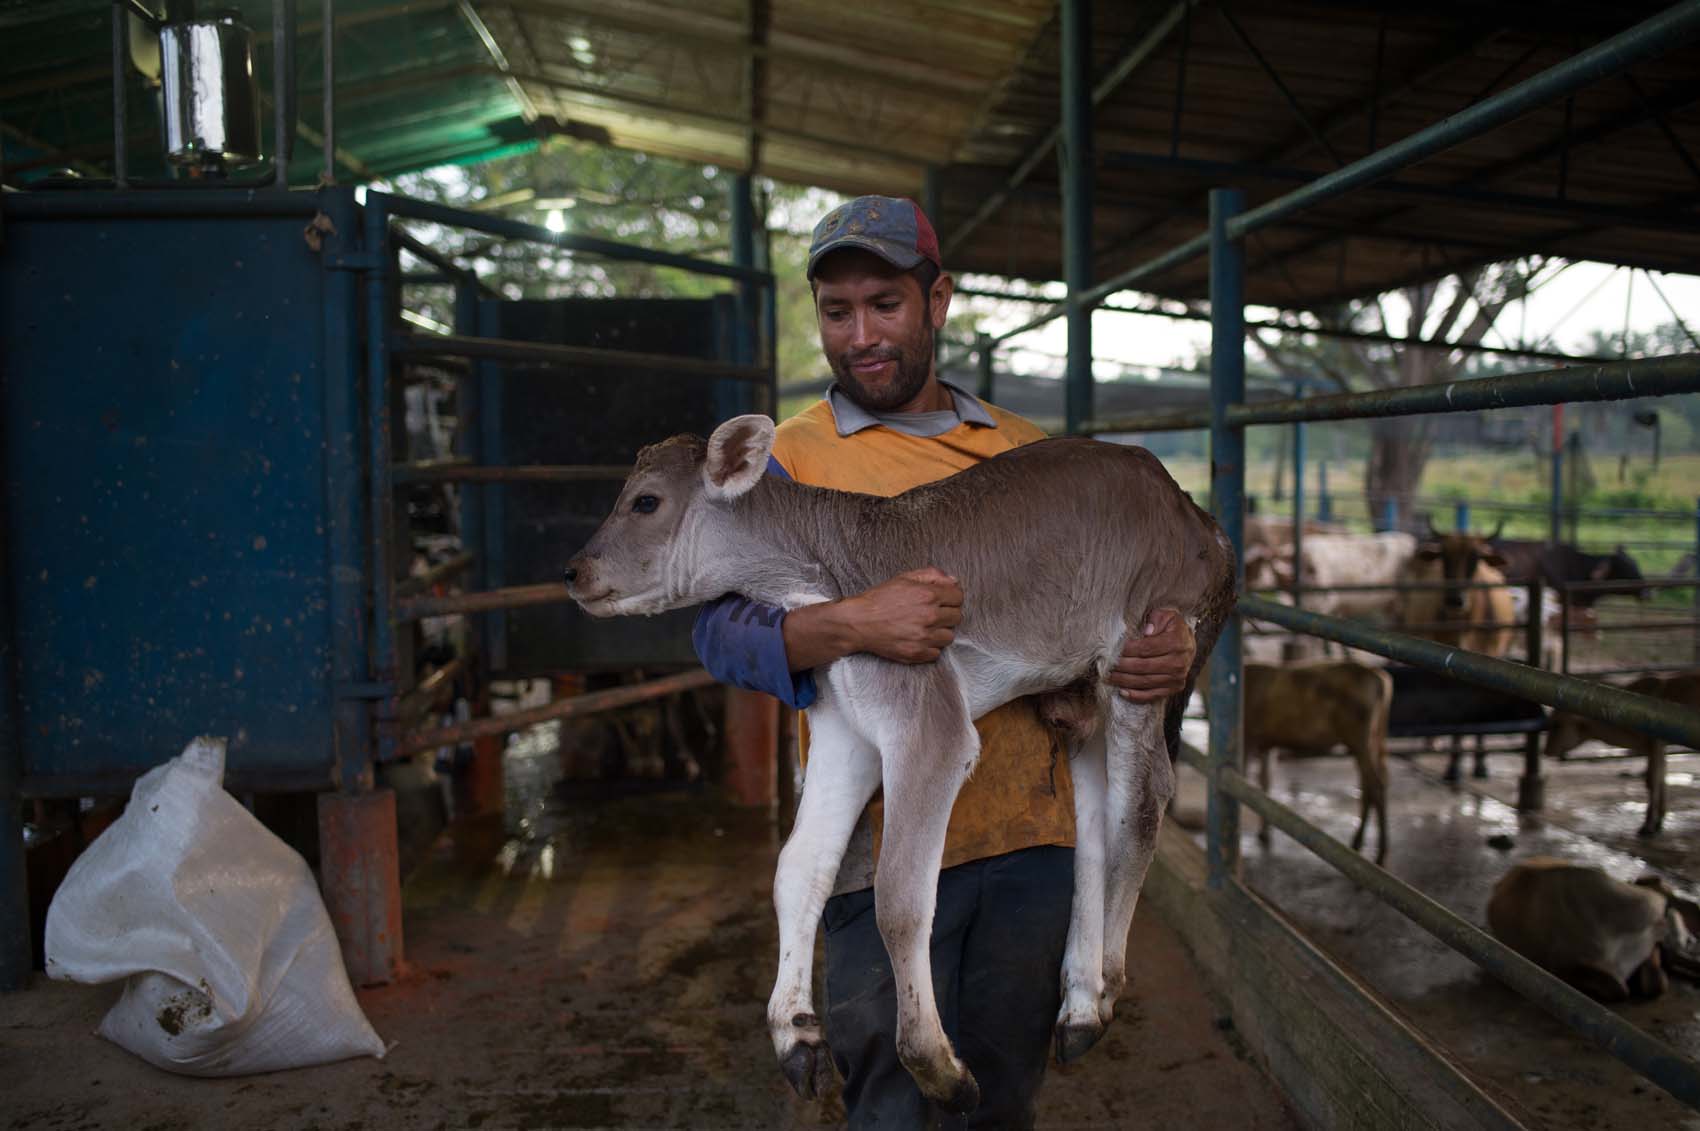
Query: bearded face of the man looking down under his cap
{"type": "Point", "coordinates": [876, 329]}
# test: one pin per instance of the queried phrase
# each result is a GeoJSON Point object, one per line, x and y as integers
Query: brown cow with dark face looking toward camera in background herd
{"type": "Point", "coordinates": [1478, 620]}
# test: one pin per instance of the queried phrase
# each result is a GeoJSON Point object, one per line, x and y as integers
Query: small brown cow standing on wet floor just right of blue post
{"type": "Point", "coordinates": [1317, 707]}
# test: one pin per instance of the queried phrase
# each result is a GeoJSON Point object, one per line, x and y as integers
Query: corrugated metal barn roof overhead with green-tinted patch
{"type": "Point", "coordinates": [871, 96]}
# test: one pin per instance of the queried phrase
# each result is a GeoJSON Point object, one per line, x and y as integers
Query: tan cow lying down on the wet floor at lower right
{"type": "Point", "coordinates": [1607, 938]}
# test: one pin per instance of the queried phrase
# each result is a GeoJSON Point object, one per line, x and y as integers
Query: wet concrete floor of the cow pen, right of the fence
{"type": "Point", "coordinates": [1441, 846]}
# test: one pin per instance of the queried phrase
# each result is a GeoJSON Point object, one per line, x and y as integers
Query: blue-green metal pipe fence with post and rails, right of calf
{"type": "Point", "coordinates": [1230, 416]}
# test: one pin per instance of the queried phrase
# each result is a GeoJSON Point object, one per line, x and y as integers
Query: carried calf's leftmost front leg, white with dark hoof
{"type": "Point", "coordinates": [842, 776]}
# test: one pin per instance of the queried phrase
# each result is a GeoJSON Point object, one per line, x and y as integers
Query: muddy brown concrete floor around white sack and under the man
{"type": "Point", "coordinates": [599, 965]}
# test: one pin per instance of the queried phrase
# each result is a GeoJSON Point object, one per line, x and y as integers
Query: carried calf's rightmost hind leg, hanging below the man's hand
{"type": "Point", "coordinates": [1142, 783]}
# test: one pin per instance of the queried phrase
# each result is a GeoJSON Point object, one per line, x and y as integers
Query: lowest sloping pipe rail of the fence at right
{"type": "Point", "coordinates": [1641, 1052]}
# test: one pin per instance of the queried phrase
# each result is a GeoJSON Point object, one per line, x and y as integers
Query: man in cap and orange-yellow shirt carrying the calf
{"type": "Point", "coordinates": [887, 426]}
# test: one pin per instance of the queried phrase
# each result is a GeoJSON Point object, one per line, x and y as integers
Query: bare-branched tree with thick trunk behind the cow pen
{"type": "Point", "coordinates": [1442, 315]}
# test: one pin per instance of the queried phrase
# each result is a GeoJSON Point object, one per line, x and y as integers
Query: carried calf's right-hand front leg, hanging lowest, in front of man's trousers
{"type": "Point", "coordinates": [927, 749]}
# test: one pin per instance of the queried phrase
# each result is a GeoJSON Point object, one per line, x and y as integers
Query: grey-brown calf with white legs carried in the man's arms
{"type": "Point", "coordinates": [1062, 547]}
